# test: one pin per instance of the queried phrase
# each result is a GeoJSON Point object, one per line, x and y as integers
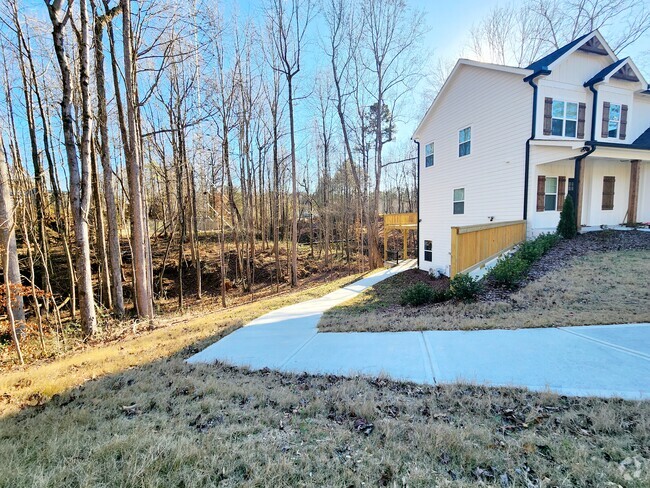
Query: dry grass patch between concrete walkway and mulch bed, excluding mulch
{"type": "Point", "coordinates": [599, 288]}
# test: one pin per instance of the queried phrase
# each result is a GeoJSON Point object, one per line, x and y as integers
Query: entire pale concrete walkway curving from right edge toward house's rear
{"type": "Point", "coordinates": [612, 360]}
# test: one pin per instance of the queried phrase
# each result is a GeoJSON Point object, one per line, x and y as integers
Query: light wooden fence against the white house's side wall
{"type": "Point", "coordinates": [474, 245]}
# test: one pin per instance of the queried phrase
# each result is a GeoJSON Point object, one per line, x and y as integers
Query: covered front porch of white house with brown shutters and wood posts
{"type": "Point", "coordinates": [608, 191]}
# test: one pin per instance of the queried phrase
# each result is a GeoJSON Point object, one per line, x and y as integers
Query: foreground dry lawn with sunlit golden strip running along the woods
{"type": "Point", "coordinates": [132, 413]}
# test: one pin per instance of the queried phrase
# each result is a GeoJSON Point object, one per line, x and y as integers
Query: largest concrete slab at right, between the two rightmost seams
{"type": "Point", "coordinates": [539, 359]}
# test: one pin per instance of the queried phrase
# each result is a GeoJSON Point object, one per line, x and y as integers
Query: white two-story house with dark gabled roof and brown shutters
{"type": "Point", "coordinates": [503, 144]}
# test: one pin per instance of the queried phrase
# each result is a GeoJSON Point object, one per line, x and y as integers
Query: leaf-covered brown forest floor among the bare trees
{"type": "Point", "coordinates": [312, 271]}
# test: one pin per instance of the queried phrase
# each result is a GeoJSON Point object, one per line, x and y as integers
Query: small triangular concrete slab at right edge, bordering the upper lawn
{"type": "Point", "coordinates": [634, 338]}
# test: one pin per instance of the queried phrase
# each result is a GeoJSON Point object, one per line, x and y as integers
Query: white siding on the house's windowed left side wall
{"type": "Point", "coordinates": [493, 178]}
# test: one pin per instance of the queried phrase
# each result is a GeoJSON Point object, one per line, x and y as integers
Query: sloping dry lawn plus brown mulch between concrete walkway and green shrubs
{"type": "Point", "coordinates": [596, 278]}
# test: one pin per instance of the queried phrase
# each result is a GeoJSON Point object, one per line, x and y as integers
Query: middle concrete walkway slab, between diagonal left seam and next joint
{"type": "Point", "coordinates": [402, 356]}
